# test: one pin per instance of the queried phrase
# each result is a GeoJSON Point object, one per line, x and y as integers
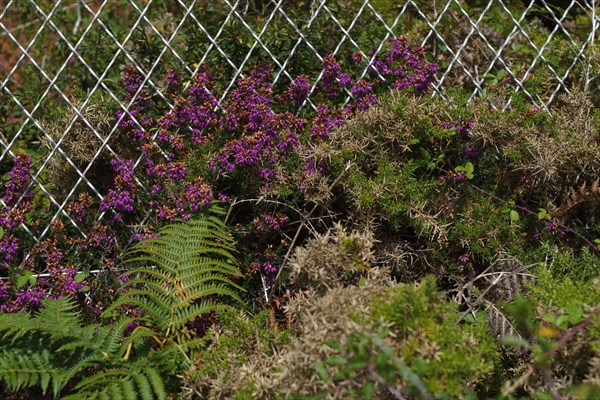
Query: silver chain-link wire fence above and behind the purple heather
{"type": "Point", "coordinates": [66, 55]}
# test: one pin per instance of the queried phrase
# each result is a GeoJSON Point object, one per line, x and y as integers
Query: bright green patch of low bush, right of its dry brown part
{"type": "Point", "coordinates": [449, 358]}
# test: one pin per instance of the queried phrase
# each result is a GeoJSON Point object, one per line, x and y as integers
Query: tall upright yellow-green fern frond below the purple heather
{"type": "Point", "coordinates": [185, 265]}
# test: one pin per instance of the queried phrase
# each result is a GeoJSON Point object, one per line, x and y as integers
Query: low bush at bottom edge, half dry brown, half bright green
{"type": "Point", "coordinates": [428, 352]}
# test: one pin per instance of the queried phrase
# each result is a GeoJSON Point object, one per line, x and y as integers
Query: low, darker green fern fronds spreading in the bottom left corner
{"type": "Point", "coordinates": [34, 352]}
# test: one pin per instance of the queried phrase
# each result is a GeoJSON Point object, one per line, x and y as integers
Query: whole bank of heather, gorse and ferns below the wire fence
{"type": "Point", "coordinates": [383, 244]}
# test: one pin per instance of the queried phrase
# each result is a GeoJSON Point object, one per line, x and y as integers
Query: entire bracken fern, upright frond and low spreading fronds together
{"type": "Point", "coordinates": [183, 272]}
